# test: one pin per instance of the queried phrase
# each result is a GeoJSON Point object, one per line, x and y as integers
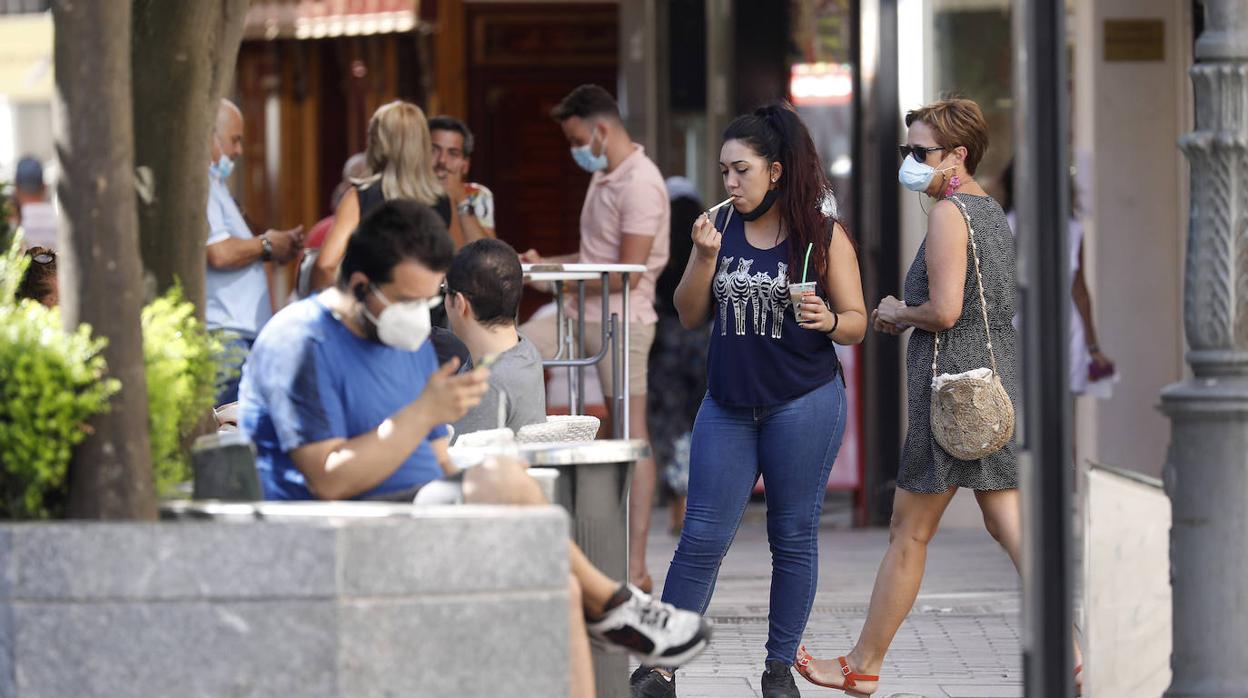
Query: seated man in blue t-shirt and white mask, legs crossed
{"type": "Point", "coordinates": [344, 399]}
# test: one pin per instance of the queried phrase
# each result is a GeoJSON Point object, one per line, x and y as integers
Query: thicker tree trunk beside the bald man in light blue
{"type": "Point", "coordinates": [184, 61]}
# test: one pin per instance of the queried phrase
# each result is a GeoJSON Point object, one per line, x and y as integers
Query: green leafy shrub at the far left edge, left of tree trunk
{"type": "Point", "coordinates": [52, 383]}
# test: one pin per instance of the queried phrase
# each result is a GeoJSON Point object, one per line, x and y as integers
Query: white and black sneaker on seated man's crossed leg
{"type": "Point", "coordinates": [657, 634]}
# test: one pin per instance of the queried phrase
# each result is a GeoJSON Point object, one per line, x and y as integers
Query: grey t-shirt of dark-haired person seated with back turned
{"type": "Point", "coordinates": [517, 393]}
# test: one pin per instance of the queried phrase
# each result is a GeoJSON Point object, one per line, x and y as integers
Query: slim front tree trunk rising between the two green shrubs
{"type": "Point", "coordinates": [110, 476]}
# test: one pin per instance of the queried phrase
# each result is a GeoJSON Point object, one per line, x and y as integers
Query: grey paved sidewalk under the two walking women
{"type": "Point", "coordinates": [963, 641]}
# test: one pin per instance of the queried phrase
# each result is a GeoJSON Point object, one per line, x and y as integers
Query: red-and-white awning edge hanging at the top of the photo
{"type": "Point", "coordinates": [324, 19]}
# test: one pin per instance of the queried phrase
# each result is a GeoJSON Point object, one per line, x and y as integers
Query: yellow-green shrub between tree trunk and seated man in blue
{"type": "Point", "coordinates": [179, 355]}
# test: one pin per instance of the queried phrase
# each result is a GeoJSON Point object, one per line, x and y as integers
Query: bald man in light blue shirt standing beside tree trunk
{"type": "Point", "coordinates": [236, 287]}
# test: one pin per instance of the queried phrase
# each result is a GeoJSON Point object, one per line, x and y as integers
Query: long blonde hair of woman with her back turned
{"type": "Point", "coordinates": [401, 154]}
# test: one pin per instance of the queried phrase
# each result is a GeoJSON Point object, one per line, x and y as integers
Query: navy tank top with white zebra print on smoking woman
{"type": "Point", "coordinates": [759, 356]}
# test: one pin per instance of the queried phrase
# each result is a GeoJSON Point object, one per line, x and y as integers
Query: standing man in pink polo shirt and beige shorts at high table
{"type": "Point", "coordinates": [625, 220]}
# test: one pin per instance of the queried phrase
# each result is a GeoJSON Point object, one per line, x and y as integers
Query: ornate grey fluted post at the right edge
{"type": "Point", "coordinates": [1207, 466]}
